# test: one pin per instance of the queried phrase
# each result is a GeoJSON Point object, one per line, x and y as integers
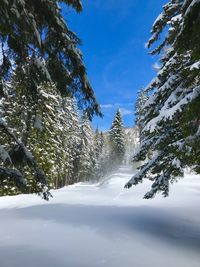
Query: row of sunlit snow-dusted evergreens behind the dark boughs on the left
{"type": "Point", "coordinates": [59, 136]}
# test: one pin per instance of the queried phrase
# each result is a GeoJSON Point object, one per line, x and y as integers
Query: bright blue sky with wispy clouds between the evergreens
{"type": "Point", "coordinates": [113, 34]}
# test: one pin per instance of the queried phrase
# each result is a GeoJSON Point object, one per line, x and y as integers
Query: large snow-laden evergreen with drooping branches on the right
{"type": "Point", "coordinates": [171, 121]}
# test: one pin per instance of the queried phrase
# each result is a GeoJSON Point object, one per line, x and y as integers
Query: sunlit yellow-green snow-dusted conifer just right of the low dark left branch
{"type": "Point", "coordinates": [44, 135]}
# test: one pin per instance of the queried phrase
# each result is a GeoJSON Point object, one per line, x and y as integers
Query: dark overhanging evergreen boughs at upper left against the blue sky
{"type": "Point", "coordinates": [35, 32]}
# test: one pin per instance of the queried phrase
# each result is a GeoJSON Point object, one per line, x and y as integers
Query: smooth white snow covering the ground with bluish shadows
{"type": "Point", "coordinates": [87, 225]}
